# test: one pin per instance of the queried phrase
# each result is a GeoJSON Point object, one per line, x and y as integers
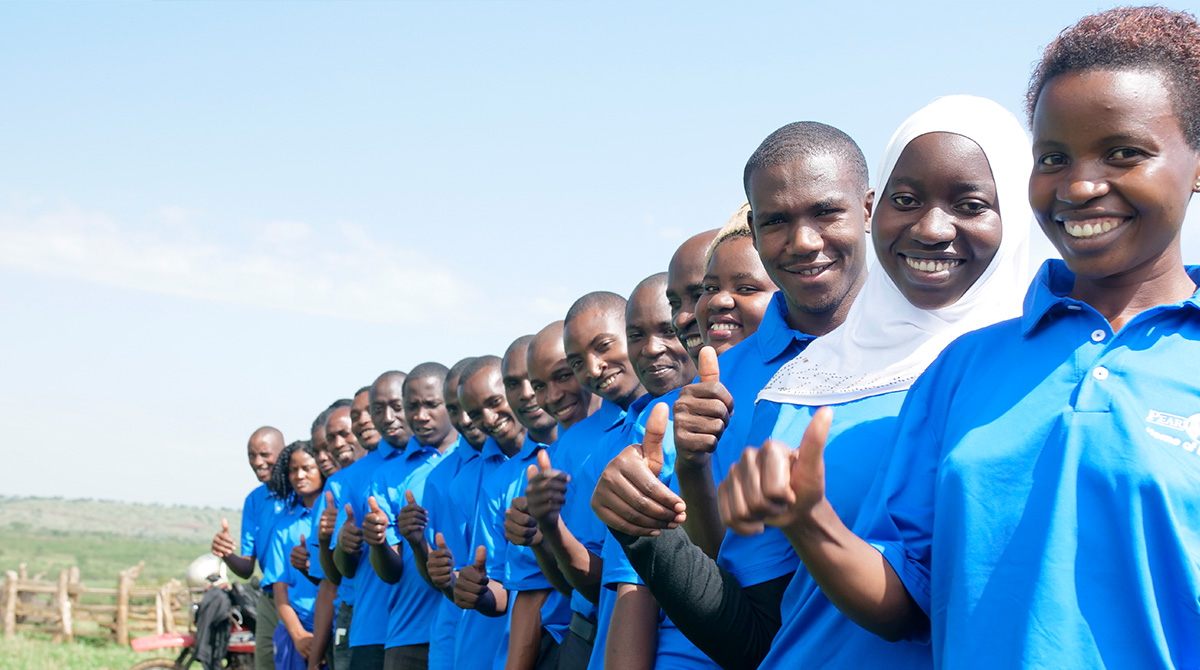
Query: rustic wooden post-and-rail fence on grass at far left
{"type": "Point", "coordinates": [68, 608]}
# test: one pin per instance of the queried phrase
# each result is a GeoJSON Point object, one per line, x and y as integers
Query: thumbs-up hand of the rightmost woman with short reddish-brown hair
{"type": "Point", "coordinates": [777, 486]}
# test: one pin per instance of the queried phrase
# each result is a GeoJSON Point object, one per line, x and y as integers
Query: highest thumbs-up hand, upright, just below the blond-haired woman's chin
{"type": "Point", "coordinates": [701, 414]}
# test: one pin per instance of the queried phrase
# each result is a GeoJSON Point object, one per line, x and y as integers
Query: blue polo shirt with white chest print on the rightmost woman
{"type": "Point", "coordinates": [1051, 470]}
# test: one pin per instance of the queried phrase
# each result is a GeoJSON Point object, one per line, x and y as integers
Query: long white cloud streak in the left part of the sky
{"type": "Point", "coordinates": [289, 266]}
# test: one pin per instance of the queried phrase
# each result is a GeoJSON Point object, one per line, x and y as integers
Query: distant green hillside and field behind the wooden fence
{"type": "Point", "coordinates": [103, 539]}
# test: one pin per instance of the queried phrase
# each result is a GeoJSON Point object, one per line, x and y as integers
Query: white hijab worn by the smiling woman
{"type": "Point", "coordinates": [887, 343]}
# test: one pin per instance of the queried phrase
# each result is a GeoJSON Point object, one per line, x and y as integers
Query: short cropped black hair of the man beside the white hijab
{"type": "Point", "coordinates": [805, 140]}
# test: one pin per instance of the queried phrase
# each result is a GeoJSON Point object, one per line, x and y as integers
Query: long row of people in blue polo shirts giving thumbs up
{"type": "Point", "coordinates": [772, 457]}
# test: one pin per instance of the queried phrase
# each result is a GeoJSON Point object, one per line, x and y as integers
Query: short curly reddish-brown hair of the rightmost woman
{"type": "Point", "coordinates": [1148, 39]}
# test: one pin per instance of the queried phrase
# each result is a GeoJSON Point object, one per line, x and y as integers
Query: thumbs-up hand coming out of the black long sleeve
{"type": "Point", "coordinates": [629, 496]}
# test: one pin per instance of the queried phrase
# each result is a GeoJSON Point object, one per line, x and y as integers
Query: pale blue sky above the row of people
{"type": "Point", "coordinates": [215, 217]}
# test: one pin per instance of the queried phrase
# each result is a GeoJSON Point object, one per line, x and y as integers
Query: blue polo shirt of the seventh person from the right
{"type": "Point", "coordinates": [584, 441]}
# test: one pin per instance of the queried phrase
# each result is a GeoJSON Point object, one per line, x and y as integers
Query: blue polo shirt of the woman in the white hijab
{"type": "Point", "coordinates": [815, 633]}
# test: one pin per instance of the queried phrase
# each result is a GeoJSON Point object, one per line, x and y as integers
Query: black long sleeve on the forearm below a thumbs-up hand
{"type": "Point", "coordinates": [733, 625]}
